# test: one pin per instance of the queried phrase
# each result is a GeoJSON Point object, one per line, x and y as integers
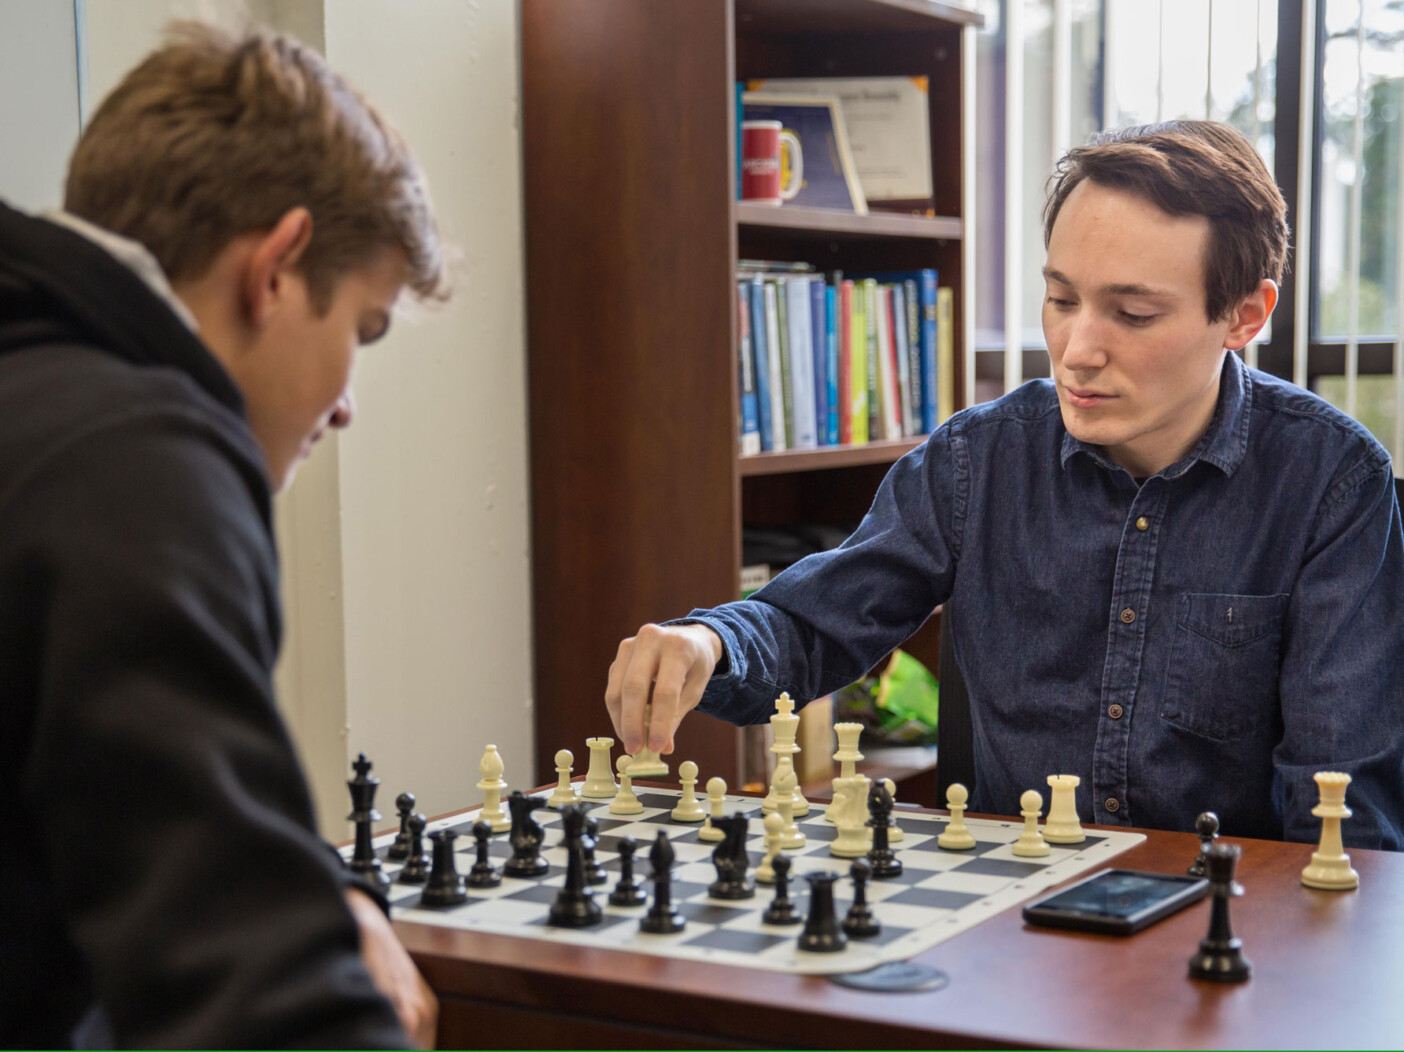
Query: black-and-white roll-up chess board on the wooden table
{"type": "Point", "coordinates": [939, 895]}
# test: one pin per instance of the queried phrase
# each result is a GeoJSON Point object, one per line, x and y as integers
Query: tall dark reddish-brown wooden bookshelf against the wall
{"type": "Point", "coordinates": [633, 239]}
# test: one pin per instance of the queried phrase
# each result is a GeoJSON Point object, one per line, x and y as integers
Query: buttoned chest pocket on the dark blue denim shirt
{"type": "Point", "coordinates": [1225, 657]}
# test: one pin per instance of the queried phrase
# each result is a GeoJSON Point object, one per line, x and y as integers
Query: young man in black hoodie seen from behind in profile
{"type": "Point", "coordinates": [237, 223]}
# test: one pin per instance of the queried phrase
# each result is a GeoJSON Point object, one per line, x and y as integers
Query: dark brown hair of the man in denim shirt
{"type": "Point", "coordinates": [1191, 168]}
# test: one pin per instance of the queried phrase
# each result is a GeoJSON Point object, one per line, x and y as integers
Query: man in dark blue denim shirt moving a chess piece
{"type": "Point", "coordinates": [1173, 577]}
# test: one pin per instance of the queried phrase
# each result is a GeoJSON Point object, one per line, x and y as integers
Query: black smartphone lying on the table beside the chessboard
{"type": "Point", "coordinates": [1117, 902]}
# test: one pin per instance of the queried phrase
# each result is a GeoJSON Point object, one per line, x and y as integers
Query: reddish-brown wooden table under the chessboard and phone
{"type": "Point", "coordinates": [1329, 973]}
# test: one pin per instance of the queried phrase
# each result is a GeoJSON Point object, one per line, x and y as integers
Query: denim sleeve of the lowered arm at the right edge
{"type": "Point", "coordinates": [1343, 672]}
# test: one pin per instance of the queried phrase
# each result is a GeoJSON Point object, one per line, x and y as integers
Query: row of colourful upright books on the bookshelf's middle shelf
{"type": "Point", "coordinates": [840, 360]}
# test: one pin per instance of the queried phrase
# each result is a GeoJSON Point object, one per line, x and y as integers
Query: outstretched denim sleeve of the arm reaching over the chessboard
{"type": "Point", "coordinates": [830, 617]}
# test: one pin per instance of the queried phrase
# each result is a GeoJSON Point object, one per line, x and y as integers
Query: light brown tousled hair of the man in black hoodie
{"type": "Point", "coordinates": [216, 136]}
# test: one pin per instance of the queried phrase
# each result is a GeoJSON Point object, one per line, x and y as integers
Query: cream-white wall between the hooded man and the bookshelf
{"type": "Point", "coordinates": [405, 541]}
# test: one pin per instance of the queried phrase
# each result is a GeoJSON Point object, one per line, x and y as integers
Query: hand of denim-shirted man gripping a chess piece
{"type": "Point", "coordinates": [675, 664]}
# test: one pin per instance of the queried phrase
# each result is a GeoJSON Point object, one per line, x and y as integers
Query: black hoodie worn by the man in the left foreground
{"type": "Point", "coordinates": [161, 883]}
